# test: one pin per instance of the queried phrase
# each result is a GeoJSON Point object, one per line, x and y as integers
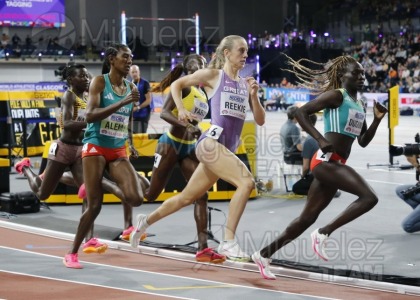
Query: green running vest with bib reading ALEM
{"type": "Point", "coordinates": [111, 132]}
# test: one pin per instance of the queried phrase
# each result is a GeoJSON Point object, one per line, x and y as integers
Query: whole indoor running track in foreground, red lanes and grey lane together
{"type": "Point", "coordinates": [31, 267]}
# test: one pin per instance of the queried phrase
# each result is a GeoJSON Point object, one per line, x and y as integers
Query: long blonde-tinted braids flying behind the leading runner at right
{"type": "Point", "coordinates": [325, 77]}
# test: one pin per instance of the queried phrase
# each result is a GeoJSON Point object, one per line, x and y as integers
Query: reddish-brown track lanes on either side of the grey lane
{"type": "Point", "coordinates": [21, 286]}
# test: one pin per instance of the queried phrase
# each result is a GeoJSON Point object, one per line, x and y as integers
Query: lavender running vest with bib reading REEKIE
{"type": "Point", "coordinates": [228, 106]}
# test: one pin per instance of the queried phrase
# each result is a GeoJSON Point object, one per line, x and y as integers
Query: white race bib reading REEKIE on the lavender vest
{"type": "Point", "coordinates": [233, 105]}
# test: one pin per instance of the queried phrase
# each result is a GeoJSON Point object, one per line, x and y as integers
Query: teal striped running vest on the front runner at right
{"type": "Point", "coordinates": [346, 119]}
